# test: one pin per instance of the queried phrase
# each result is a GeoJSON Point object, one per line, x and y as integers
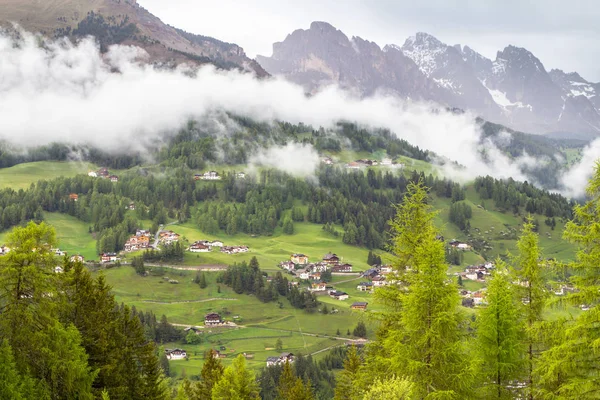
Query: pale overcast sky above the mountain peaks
{"type": "Point", "coordinates": [562, 34]}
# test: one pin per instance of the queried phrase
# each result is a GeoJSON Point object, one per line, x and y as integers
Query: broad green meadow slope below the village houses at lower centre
{"type": "Point", "coordinates": [261, 324]}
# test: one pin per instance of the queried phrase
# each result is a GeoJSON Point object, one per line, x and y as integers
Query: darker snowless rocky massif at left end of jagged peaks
{"type": "Point", "coordinates": [323, 55]}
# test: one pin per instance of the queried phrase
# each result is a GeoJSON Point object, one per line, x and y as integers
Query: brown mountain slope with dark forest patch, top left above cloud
{"type": "Point", "coordinates": [123, 22]}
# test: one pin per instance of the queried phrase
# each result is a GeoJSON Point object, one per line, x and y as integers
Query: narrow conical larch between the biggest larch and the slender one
{"type": "Point", "coordinates": [499, 333]}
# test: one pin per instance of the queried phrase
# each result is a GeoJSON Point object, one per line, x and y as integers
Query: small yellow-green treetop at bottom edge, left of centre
{"type": "Point", "coordinates": [237, 382]}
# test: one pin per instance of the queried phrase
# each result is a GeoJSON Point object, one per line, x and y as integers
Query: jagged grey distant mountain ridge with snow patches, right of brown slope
{"type": "Point", "coordinates": [514, 89]}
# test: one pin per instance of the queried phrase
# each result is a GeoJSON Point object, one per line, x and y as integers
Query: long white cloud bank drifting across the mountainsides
{"type": "Point", "coordinates": [64, 92]}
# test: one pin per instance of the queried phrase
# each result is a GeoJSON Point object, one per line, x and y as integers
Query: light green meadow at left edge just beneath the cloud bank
{"type": "Point", "coordinates": [23, 175]}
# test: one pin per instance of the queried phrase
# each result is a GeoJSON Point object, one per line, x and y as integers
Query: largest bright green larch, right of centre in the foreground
{"type": "Point", "coordinates": [425, 344]}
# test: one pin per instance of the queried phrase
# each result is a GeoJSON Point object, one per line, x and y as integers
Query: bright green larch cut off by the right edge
{"type": "Point", "coordinates": [570, 368]}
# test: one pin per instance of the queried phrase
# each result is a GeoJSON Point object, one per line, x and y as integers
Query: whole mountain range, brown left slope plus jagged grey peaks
{"type": "Point", "coordinates": [514, 89]}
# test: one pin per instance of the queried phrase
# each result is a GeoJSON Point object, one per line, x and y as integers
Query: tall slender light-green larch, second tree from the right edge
{"type": "Point", "coordinates": [529, 269]}
